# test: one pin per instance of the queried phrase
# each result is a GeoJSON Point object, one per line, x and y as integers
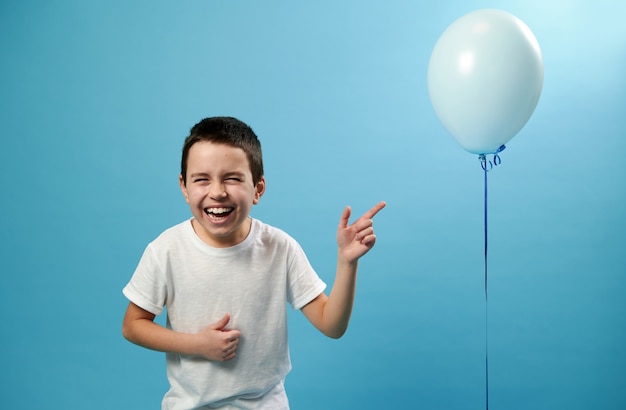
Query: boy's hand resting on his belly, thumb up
{"type": "Point", "coordinates": [218, 343]}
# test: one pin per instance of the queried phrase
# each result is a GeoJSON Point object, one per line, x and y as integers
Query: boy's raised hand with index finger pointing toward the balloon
{"type": "Point", "coordinates": [357, 239]}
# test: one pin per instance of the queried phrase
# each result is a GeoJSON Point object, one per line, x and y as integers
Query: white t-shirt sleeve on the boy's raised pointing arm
{"type": "Point", "coordinates": [303, 283]}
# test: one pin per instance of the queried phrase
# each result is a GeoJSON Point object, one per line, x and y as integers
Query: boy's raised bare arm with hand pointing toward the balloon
{"type": "Point", "coordinates": [331, 314]}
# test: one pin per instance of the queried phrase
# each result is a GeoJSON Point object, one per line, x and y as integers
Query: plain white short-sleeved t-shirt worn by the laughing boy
{"type": "Point", "coordinates": [253, 281]}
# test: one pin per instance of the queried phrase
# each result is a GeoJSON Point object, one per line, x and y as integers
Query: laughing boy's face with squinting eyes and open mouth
{"type": "Point", "coordinates": [220, 192]}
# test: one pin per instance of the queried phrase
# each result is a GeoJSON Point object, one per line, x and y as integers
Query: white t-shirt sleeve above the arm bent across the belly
{"type": "Point", "coordinates": [147, 287]}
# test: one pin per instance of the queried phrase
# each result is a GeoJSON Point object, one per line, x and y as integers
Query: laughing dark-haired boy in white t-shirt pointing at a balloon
{"type": "Point", "coordinates": [226, 278]}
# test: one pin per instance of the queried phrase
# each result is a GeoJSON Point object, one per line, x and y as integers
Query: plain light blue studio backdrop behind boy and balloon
{"type": "Point", "coordinates": [96, 98]}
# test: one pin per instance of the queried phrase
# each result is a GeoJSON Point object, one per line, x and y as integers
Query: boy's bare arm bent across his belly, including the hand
{"type": "Point", "coordinates": [214, 342]}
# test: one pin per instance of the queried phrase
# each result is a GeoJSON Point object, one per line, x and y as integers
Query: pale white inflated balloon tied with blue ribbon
{"type": "Point", "coordinates": [485, 77]}
